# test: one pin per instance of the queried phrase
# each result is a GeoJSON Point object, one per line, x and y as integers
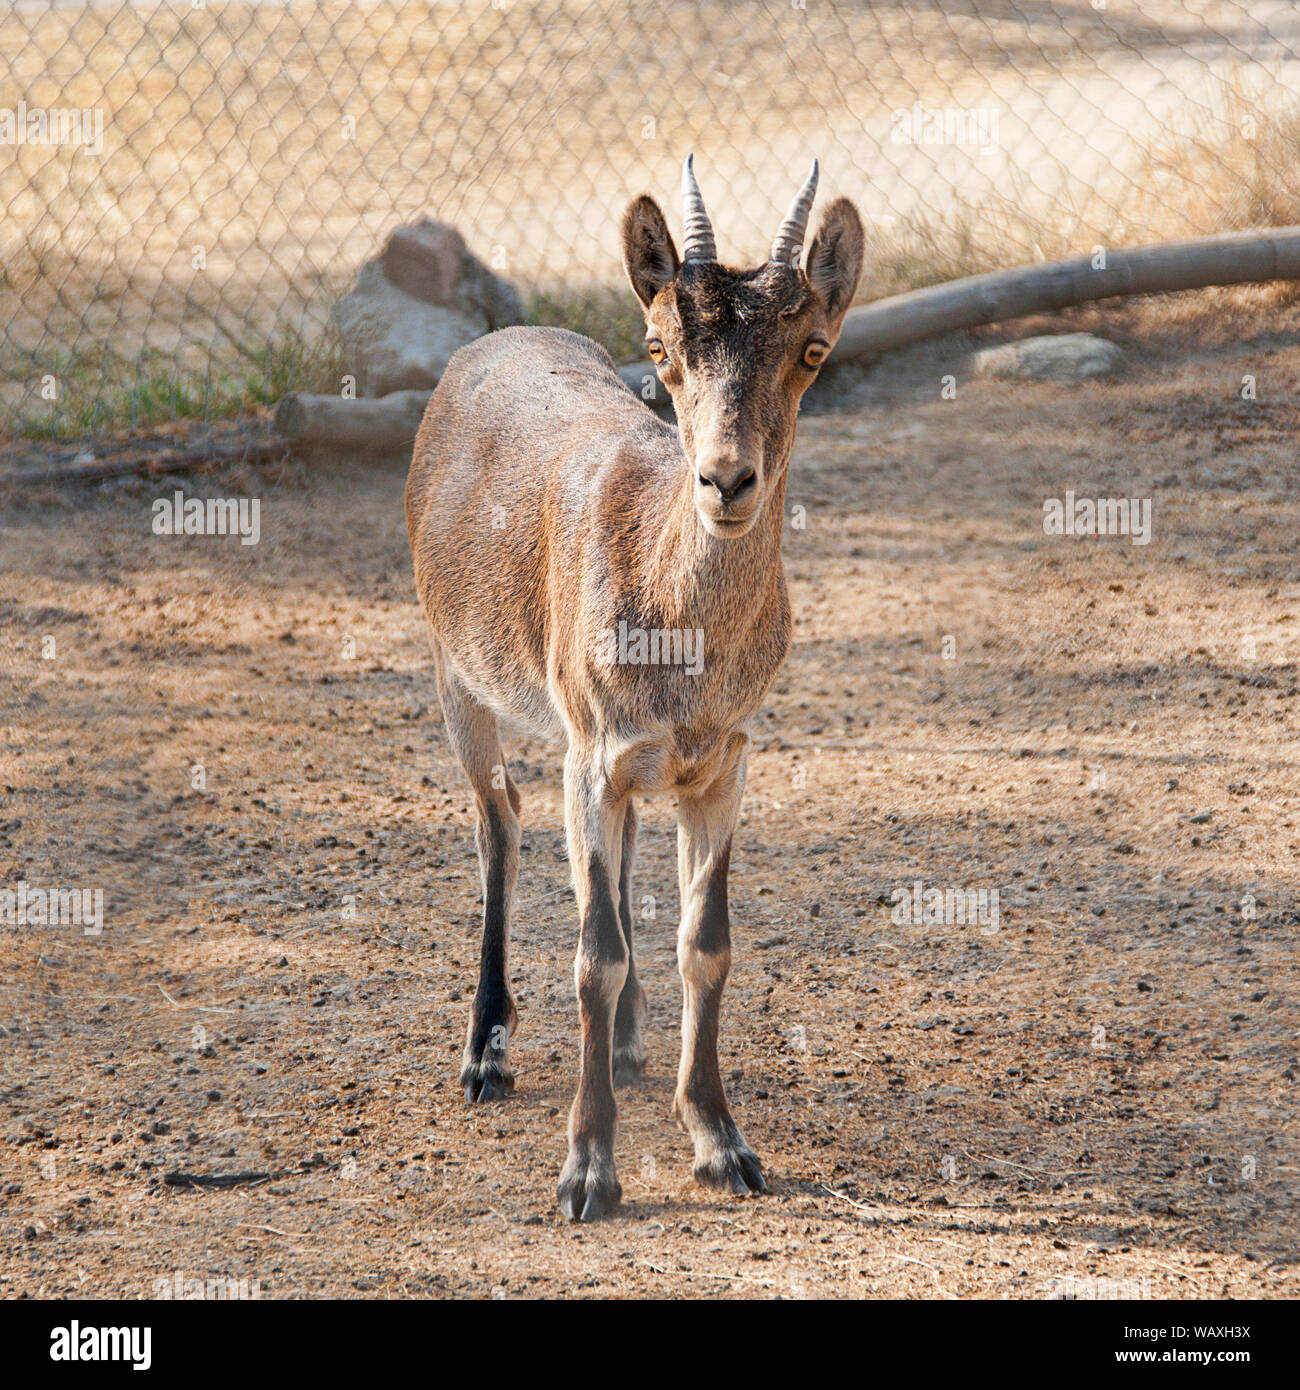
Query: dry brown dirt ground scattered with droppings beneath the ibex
{"type": "Point", "coordinates": [1095, 1099]}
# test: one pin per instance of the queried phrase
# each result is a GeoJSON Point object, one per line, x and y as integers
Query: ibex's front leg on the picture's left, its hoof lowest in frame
{"type": "Point", "coordinates": [594, 824]}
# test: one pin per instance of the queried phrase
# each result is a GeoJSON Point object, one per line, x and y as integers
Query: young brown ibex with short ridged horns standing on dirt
{"type": "Point", "coordinates": [550, 511]}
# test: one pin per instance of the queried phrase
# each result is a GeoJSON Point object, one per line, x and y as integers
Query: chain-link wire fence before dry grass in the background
{"type": "Point", "coordinates": [188, 187]}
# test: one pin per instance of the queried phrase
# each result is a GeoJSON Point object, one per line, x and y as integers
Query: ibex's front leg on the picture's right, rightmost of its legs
{"type": "Point", "coordinates": [706, 825]}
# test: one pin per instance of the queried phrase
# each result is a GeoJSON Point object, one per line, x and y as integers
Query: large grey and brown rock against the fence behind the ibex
{"type": "Point", "coordinates": [415, 305]}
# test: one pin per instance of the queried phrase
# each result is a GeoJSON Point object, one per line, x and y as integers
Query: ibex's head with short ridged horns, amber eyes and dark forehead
{"type": "Point", "coordinates": [739, 348]}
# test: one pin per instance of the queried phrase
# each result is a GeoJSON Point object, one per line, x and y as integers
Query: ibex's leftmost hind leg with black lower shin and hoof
{"type": "Point", "coordinates": [486, 1071]}
